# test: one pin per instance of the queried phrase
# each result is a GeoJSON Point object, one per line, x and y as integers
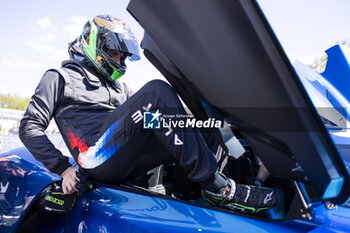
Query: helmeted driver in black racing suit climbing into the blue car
{"type": "Point", "coordinates": [100, 120]}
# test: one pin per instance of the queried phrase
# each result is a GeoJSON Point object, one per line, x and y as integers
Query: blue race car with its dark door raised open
{"type": "Point", "coordinates": [224, 60]}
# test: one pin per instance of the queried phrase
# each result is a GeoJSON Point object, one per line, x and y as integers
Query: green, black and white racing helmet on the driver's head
{"type": "Point", "coordinates": [104, 33]}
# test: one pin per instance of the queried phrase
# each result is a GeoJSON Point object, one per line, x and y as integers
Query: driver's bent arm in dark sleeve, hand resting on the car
{"type": "Point", "coordinates": [36, 119]}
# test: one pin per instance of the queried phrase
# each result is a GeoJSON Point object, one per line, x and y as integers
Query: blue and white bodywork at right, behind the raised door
{"type": "Point", "coordinates": [330, 95]}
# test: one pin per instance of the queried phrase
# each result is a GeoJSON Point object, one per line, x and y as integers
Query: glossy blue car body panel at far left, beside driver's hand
{"type": "Point", "coordinates": [21, 184]}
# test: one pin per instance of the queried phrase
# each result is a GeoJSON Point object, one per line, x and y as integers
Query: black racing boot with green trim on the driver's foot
{"type": "Point", "coordinates": [245, 198]}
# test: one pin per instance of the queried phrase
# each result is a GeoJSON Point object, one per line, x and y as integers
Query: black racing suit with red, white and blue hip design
{"type": "Point", "coordinates": [103, 127]}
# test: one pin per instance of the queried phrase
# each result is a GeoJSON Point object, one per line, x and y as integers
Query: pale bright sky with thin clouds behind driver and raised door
{"type": "Point", "coordinates": [34, 34]}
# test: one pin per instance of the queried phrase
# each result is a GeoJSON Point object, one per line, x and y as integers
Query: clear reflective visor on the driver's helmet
{"type": "Point", "coordinates": [125, 42]}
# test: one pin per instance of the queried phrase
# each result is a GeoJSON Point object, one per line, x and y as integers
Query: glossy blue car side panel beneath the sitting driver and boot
{"type": "Point", "coordinates": [122, 211]}
